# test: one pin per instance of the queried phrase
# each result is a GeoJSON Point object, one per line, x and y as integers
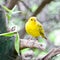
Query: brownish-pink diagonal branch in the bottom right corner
{"type": "Point", "coordinates": [52, 53]}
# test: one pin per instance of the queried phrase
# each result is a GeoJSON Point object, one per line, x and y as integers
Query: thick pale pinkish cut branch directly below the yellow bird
{"type": "Point", "coordinates": [30, 44]}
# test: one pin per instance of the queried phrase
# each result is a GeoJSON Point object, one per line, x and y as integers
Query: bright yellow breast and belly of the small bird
{"type": "Point", "coordinates": [32, 30]}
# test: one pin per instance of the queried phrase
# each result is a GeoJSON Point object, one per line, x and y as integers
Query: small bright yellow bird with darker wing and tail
{"type": "Point", "coordinates": [34, 28]}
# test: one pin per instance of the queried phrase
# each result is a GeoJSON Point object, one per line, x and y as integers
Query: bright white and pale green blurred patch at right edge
{"type": "Point", "coordinates": [54, 36]}
